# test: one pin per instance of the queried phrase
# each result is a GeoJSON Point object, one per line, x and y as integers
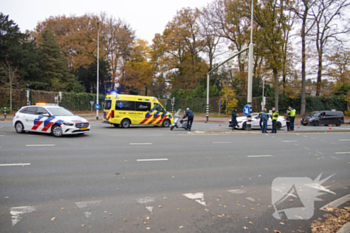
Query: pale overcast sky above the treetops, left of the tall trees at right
{"type": "Point", "coordinates": [146, 17]}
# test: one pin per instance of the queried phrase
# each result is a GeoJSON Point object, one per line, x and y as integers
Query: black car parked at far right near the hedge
{"type": "Point", "coordinates": [316, 118]}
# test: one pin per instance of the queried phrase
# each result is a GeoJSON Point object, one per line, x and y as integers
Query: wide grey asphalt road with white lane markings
{"type": "Point", "coordinates": [156, 180]}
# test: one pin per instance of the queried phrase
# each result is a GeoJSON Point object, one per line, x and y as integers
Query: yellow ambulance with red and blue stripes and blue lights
{"type": "Point", "coordinates": [125, 110]}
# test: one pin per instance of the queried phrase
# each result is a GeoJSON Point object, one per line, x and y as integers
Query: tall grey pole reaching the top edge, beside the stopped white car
{"type": "Point", "coordinates": [250, 71]}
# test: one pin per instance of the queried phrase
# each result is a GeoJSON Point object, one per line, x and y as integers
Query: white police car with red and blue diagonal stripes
{"type": "Point", "coordinates": [49, 118]}
